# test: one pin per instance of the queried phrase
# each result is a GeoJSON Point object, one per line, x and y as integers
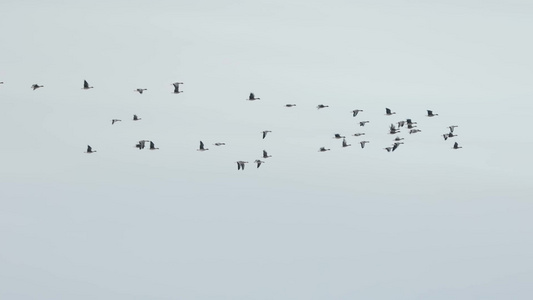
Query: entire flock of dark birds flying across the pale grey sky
{"type": "Point", "coordinates": [393, 128]}
